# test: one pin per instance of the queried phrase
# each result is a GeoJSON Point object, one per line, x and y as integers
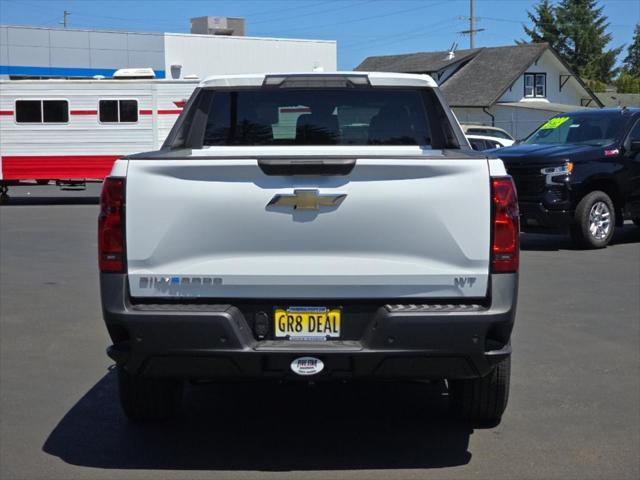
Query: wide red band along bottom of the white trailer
{"type": "Point", "coordinates": [56, 167]}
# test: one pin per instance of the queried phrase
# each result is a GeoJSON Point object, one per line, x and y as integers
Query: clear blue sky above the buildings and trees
{"type": "Point", "coordinates": [361, 27]}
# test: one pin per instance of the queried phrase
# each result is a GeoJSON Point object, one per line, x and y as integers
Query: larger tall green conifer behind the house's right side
{"type": "Point", "coordinates": [577, 30]}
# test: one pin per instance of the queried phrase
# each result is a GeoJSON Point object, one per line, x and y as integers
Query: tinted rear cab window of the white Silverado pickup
{"type": "Point", "coordinates": [314, 116]}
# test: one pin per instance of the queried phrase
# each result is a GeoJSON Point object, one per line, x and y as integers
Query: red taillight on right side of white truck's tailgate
{"type": "Point", "coordinates": [505, 249]}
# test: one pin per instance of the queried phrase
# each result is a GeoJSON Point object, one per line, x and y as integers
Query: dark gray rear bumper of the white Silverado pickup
{"type": "Point", "coordinates": [213, 341]}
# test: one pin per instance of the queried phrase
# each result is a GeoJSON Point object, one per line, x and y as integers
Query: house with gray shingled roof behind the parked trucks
{"type": "Point", "coordinates": [516, 87]}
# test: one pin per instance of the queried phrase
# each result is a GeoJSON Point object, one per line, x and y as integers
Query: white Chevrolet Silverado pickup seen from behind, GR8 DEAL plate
{"type": "Point", "coordinates": [313, 227]}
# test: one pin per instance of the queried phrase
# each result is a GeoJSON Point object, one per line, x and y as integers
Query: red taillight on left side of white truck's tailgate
{"type": "Point", "coordinates": [111, 226]}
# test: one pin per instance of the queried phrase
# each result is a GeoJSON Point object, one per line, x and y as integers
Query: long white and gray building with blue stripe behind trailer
{"type": "Point", "coordinates": [44, 52]}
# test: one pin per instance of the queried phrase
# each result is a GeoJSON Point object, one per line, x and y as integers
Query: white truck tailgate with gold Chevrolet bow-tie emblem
{"type": "Point", "coordinates": [410, 227]}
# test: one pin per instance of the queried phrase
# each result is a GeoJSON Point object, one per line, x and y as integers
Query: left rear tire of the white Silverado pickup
{"type": "Point", "coordinates": [147, 399]}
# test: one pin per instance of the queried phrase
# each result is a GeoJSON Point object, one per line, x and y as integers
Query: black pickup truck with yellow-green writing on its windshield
{"type": "Point", "coordinates": [579, 172]}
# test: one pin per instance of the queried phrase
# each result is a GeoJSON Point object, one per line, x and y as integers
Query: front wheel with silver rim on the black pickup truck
{"type": "Point", "coordinates": [594, 221]}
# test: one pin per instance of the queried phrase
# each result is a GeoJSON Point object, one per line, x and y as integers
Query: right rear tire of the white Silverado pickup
{"type": "Point", "coordinates": [482, 399]}
